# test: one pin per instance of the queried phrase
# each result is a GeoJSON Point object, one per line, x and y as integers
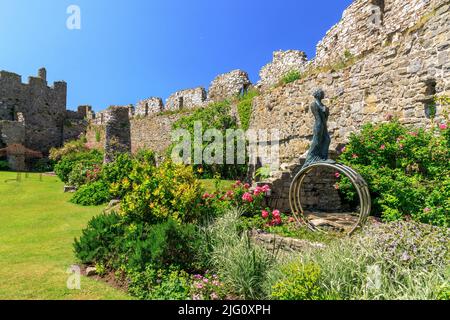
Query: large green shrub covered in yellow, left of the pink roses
{"type": "Point", "coordinates": [155, 194]}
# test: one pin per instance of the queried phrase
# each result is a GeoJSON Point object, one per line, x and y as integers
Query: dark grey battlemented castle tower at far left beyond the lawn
{"type": "Point", "coordinates": [40, 109]}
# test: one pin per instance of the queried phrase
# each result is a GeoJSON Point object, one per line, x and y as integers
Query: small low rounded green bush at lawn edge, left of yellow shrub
{"type": "Point", "coordinates": [92, 194]}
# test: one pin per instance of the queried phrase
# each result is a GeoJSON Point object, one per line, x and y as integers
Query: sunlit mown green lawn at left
{"type": "Point", "coordinates": [37, 228]}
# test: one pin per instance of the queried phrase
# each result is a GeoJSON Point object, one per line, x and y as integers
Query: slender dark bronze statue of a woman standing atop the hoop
{"type": "Point", "coordinates": [318, 151]}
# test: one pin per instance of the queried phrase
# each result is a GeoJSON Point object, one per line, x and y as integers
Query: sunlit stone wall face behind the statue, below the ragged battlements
{"type": "Point", "coordinates": [399, 79]}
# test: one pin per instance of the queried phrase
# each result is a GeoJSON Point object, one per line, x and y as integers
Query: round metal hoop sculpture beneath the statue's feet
{"type": "Point", "coordinates": [358, 182]}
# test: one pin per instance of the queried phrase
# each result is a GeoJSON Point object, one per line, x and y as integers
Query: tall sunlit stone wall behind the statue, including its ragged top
{"type": "Point", "coordinates": [396, 74]}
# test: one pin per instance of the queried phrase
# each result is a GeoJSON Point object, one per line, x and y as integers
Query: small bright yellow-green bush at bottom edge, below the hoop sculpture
{"type": "Point", "coordinates": [300, 282]}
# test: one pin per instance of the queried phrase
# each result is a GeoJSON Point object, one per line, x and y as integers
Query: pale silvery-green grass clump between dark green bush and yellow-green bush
{"type": "Point", "coordinates": [243, 266]}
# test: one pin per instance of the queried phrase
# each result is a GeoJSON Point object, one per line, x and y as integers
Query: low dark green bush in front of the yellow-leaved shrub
{"type": "Point", "coordinates": [108, 240]}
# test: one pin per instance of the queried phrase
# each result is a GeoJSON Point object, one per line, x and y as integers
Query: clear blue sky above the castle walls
{"type": "Point", "coordinates": [134, 49]}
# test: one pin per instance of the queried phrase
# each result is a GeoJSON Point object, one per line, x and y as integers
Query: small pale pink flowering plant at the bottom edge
{"type": "Point", "coordinates": [207, 287]}
